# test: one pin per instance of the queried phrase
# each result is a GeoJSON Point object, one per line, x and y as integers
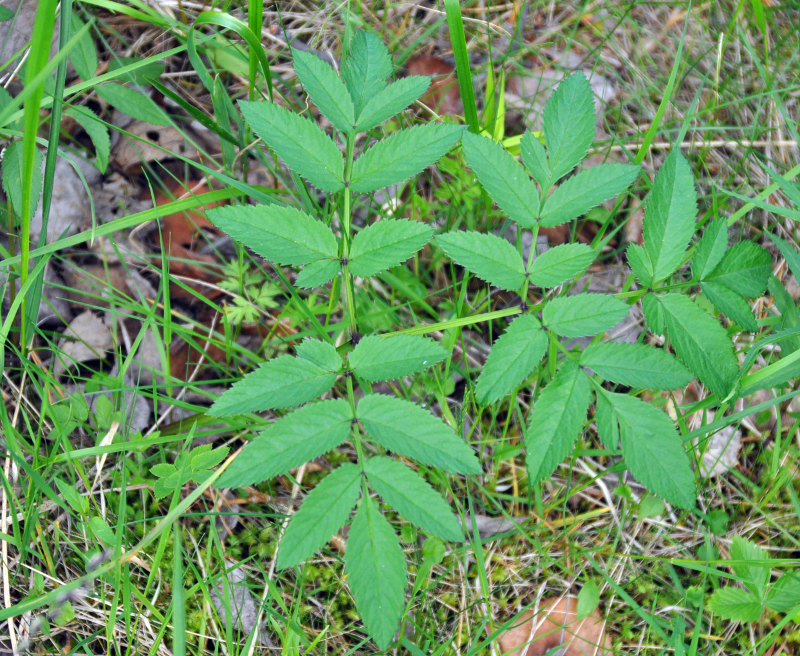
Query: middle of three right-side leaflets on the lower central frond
{"type": "Point", "coordinates": [411, 431]}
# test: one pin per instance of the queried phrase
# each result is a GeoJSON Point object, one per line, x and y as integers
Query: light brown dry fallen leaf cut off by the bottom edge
{"type": "Point", "coordinates": [556, 625]}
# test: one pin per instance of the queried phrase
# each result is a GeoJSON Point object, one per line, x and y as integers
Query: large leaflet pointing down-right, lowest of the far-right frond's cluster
{"type": "Point", "coordinates": [700, 342]}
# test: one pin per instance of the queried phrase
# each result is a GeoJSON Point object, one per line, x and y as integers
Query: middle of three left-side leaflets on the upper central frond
{"type": "Point", "coordinates": [299, 142]}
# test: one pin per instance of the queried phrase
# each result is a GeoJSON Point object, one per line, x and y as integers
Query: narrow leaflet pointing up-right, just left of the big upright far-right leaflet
{"type": "Point", "coordinates": [585, 190]}
